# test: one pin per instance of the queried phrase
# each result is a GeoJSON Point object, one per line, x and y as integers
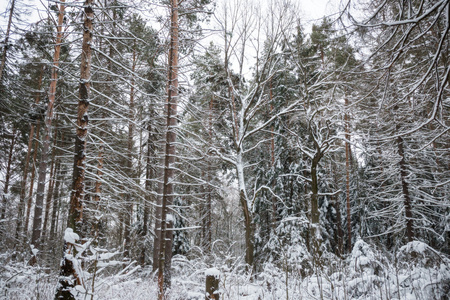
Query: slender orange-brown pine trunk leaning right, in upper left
{"type": "Point", "coordinates": [37, 220]}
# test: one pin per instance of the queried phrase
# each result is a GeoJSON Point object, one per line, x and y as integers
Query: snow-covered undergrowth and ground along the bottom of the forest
{"type": "Point", "coordinates": [420, 272]}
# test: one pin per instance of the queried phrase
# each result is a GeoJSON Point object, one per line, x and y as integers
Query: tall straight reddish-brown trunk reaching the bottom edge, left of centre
{"type": "Point", "coordinates": [165, 250]}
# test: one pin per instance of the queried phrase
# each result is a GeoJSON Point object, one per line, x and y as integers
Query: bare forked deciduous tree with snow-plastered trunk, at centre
{"type": "Point", "coordinates": [247, 101]}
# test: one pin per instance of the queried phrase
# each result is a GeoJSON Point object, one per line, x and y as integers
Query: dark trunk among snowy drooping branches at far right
{"type": "Point", "coordinates": [405, 190]}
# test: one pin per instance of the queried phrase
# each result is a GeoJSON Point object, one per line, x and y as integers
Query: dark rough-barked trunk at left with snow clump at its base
{"type": "Point", "coordinates": [68, 275]}
